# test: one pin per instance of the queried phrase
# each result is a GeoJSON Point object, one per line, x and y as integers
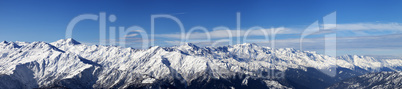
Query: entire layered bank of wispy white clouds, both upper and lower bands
{"type": "Point", "coordinates": [359, 42]}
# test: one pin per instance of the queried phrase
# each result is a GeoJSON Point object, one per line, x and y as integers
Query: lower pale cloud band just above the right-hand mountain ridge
{"type": "Point", "coordinates": [392, 41]}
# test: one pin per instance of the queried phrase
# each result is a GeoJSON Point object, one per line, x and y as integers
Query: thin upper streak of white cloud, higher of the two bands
{"type": "Point", "coordinates": [356, 28]}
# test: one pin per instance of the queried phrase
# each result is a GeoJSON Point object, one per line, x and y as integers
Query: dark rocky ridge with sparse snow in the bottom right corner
{"type": "Point", "coordinates": [381, 80]}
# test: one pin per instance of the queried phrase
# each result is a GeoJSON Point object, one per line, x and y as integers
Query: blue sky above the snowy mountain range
{"type": "Point", "coordinates": [364, 27]}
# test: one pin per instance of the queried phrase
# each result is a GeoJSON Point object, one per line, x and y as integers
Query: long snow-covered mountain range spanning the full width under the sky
{"type": "Point", "coordinates": [69, 64]}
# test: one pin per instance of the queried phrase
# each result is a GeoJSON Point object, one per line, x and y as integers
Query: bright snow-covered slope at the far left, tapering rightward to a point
{"type": "Point", "coordinates": [37, 64]}
